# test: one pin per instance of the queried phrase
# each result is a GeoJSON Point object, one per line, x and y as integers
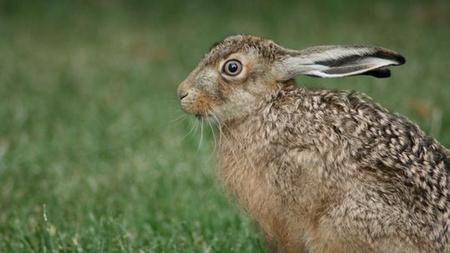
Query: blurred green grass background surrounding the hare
{"type": "Point", "coordinates": [94, 156]}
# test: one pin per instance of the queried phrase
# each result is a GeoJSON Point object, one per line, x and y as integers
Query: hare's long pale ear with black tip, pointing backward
{"type": "Point", "coordinates": [337, 61]}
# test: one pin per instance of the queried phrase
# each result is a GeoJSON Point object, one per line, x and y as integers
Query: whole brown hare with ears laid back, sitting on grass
{"type": "Point", "coordinates": [320, 170]}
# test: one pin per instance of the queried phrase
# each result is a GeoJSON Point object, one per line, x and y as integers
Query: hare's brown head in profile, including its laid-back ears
{"type": "Point", "coordinates": [241, 70]}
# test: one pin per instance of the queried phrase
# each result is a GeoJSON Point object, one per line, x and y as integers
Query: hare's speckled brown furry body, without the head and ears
{"type": "Point", "coordinates": [310, 183]}
